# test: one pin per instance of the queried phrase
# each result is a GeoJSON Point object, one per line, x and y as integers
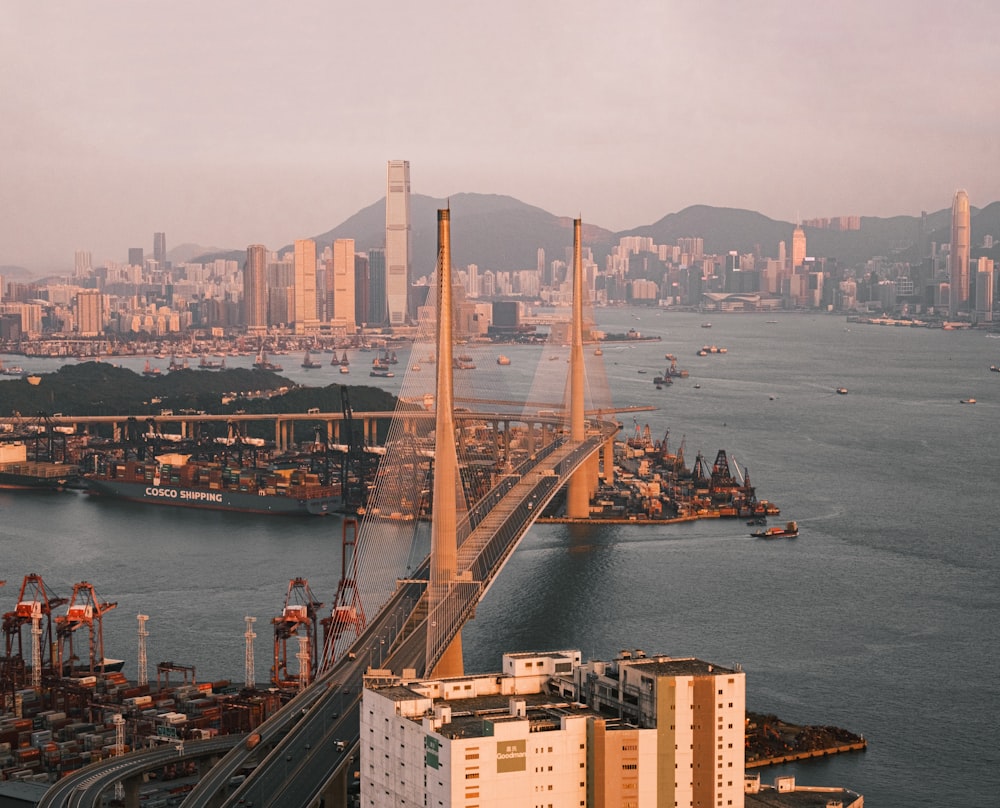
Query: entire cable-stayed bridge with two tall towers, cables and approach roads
{"type": "Point", "coordinates": [489, 474]}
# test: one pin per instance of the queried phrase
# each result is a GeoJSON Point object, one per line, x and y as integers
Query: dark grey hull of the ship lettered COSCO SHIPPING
{"type": "Point", "coordinates": [214, 500]}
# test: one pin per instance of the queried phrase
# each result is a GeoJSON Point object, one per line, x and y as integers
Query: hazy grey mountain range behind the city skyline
{"type": "Point", "coordinates": [502, 233]}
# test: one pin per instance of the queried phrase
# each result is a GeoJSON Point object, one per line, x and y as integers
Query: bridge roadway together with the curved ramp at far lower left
{"type": "Point", "coordinates": [311, 742]}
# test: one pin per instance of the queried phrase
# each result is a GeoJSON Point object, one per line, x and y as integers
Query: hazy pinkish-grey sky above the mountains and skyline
{"type": "Point", "coordinates": [229, 123]}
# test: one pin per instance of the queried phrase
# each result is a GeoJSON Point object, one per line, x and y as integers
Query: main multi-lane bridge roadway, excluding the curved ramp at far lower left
{"type": "Point", "coordinates": [319, 749]}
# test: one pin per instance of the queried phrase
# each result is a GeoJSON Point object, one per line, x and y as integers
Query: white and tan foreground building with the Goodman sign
{"type": "Point", "coordinates": [654, 732]}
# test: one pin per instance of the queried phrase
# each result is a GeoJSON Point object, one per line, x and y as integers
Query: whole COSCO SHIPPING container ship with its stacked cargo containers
{"type": "Point", "coordinates": [175, 480]}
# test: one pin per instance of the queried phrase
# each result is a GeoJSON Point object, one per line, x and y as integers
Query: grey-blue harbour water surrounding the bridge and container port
{"type": "Point", "coordinates": [883, 617]}
